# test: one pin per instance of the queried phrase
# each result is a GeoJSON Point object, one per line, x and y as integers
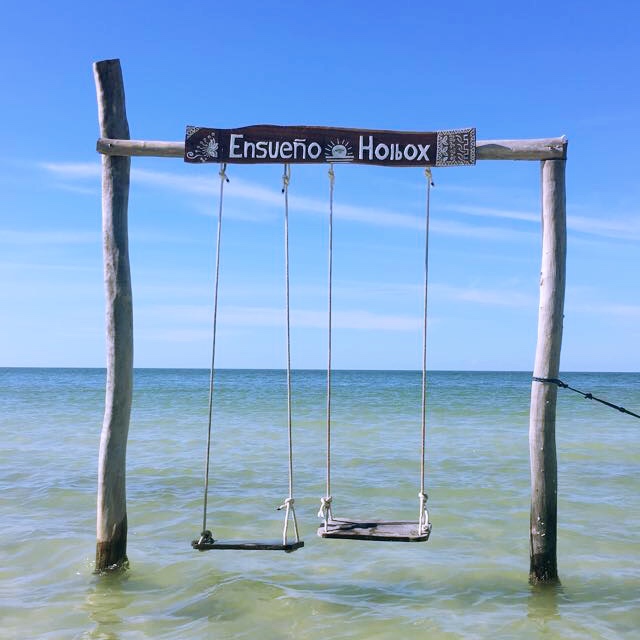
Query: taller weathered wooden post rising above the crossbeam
{"type": "Point", "coordinates": [111, 529]}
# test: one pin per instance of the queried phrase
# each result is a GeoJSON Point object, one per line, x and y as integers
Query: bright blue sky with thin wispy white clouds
{"type": "Point", "coordinates": [512, 70]}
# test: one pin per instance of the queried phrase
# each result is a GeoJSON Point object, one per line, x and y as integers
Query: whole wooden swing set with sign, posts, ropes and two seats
{"type": "Point", "coordinates": [314, 145]}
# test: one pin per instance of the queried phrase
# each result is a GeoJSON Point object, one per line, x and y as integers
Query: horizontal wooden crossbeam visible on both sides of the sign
{"type": "Point", "coordinates": [534, 149]}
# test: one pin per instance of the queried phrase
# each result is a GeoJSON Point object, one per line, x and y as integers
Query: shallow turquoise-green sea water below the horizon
{"type": "Point", "coordinates": [468, 581]}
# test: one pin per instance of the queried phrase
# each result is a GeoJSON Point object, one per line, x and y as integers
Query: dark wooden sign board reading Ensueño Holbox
{"type": "Point", "coordinates": [313, 145]}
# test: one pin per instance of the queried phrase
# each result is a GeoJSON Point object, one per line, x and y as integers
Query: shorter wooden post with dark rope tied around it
{"type": "Point", "coordinates": [542, 421]}
